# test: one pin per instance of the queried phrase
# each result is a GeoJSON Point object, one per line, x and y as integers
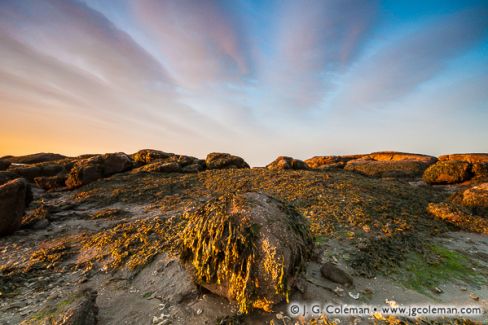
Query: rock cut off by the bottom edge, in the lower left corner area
{"type": "Point", "coordinates": [78, 308]}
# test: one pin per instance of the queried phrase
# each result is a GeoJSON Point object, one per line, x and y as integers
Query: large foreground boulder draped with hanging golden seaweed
{"type": "Point", "coordinates": [246, 247]}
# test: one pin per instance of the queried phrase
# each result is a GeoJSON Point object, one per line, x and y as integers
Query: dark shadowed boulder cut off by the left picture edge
{"type": "Point", "coordinates": [13, 198]}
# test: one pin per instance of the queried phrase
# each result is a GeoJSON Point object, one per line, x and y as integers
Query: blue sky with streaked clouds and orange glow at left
{"type": "Point", "coordinates": [255, 78]}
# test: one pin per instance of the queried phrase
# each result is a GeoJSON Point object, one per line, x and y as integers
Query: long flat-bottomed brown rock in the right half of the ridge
{"type": "Point", "coordinates": [393, 168]}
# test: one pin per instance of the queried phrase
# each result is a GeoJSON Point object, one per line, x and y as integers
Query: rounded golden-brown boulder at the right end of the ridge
{"type": "Point", "coordinates": [447, 172]}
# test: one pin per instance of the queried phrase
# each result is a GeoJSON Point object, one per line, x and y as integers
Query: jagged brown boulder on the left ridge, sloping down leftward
{"type": "Point", "coordinates": [91, 169]}
